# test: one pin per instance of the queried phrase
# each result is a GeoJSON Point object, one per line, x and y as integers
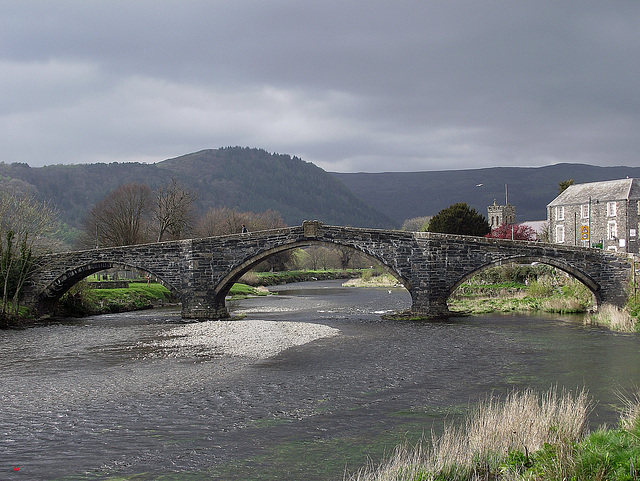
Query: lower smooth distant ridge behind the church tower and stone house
{"type": "Point", "coordinates": [405, 195]}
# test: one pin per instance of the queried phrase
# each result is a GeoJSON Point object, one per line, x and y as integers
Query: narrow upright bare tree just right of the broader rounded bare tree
{"type": "Point", "coordinates": [173, 211]}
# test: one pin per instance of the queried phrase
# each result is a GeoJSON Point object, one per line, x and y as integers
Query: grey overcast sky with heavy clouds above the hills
{"type": "Point", "coordinates": [350, 85]}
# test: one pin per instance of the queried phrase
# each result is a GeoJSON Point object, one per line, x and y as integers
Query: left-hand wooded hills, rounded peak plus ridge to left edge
{"type": "Point", "coordinates": [247, 179]}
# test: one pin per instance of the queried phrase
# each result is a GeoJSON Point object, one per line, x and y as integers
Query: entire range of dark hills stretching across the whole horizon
{"type": "Point", "coordinates": [256, 180]}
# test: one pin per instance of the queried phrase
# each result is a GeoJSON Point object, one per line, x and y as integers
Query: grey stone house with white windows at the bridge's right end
{"type": "Point", "coordinates": [598, 214]}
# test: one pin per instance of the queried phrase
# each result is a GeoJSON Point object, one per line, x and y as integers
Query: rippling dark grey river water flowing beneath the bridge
{"type": "Point", "coordinates": [99, 398]}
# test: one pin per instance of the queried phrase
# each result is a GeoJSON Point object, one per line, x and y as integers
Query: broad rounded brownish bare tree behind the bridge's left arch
{"type": "Point", "coordinates": [121, 218]}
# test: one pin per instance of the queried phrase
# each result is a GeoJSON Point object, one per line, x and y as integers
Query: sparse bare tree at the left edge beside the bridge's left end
{"type": "Point", "coordinates": [25, 226]}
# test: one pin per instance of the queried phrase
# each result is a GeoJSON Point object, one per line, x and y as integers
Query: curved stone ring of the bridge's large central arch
{"type": "Point", "coordinates": [245, 265]}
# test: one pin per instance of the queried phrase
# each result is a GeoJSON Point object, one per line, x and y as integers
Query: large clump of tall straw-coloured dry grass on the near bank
{"type": "Point", "coordinates": [497, 441]}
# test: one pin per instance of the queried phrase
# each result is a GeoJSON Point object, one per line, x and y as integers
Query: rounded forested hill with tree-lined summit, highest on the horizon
{"type": "Point", "coordinates": [254, 180]}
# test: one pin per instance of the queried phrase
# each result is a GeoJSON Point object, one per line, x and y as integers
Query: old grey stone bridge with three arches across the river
{"type": "Point", "coordinates": [200, 272]}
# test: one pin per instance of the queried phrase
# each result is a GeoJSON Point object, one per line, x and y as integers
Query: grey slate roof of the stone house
{"type": "Point", "coordinates": [608, 190]}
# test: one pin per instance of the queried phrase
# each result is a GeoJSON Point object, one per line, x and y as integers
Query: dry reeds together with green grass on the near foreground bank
{"type": "Point", "coordinates": [529, 436]}
